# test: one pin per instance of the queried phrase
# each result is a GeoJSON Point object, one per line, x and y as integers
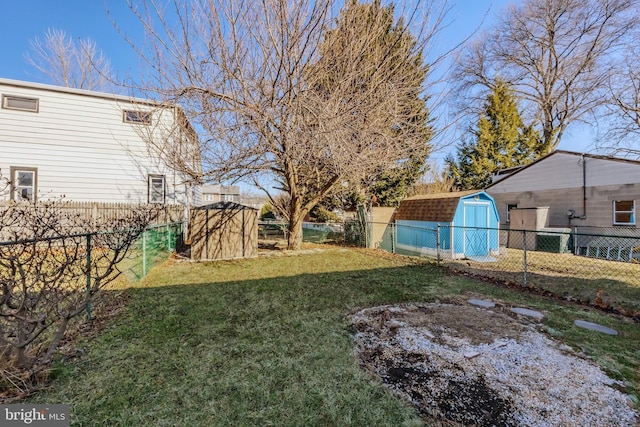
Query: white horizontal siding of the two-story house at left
{"type": "Point", "coordinates": [81, 146]}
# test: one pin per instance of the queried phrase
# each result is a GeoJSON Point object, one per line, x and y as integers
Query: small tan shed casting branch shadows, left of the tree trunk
{"type": "Point", "coordinates": [224, 230]}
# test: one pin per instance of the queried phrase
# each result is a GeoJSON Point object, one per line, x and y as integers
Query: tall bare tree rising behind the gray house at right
{"type": "Point", "coordinates": [554, 54]}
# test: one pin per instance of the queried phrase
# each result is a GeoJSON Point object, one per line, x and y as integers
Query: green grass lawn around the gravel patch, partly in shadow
{"type": "Point", "coordinates": [265, 342]}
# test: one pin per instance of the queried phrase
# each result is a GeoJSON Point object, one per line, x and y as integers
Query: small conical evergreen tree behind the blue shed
{"type": "Point", "coordinates": [501, 140]}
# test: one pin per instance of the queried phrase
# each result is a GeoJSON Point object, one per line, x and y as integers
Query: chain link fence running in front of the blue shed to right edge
{"type": "Point", "coordinates": [595, 266]}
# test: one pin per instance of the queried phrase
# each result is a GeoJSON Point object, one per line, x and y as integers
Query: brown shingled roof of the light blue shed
{"type": "Point", "coordinates": [440, 207]}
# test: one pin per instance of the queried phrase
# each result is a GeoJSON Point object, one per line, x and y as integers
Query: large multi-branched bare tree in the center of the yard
{"type": "Point", "coordinates": [253, 77]}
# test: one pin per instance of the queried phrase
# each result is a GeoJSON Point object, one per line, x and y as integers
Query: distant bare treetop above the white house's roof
{"type": "Point", "coordinates": [66, 62]}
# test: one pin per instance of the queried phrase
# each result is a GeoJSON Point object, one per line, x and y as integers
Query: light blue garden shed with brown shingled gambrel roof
{"type": "Point", "coordinates": [468, 224]}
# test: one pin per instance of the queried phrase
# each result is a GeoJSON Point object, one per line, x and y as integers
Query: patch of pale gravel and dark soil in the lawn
{"type": "Point", "coordinates": [479, 367]}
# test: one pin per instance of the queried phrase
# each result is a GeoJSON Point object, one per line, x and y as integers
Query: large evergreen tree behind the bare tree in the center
{"type": "Point", "coordinates": [389, 185]}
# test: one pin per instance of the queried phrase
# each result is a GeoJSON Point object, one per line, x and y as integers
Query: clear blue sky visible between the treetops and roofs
{"type": "Point", "coordinates": [23, 20]}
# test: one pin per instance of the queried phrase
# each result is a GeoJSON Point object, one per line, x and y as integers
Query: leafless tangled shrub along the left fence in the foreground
{"type": "Point", "coordinates": [52, 265]}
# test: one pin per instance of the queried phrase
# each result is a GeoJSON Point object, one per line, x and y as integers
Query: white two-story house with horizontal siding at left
{"type": "Point", "coordinates": [86, 146]}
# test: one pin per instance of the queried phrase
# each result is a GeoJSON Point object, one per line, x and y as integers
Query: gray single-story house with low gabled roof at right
{"type": "Point", "coordinates": [571, 189]}
